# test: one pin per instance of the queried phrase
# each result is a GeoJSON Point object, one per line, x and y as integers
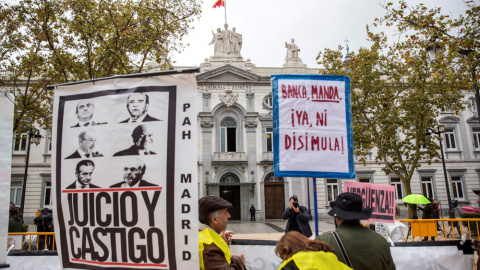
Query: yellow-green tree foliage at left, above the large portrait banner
{"type": "Point", "coordinates": [52, 42]}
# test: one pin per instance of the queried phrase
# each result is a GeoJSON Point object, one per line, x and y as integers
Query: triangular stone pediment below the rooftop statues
{"type": "Point", "coordinates": [229, 74]}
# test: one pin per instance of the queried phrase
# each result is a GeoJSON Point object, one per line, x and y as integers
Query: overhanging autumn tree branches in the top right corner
{"type": "Point", "coordinates": [456, 36]}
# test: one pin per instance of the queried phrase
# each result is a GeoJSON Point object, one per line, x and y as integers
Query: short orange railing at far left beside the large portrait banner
{"type": "Point", "coordinates": [31, 241]}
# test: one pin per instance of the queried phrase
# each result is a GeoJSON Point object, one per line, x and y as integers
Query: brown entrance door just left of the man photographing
{"type": "Point", "coordinates": [274, 200]}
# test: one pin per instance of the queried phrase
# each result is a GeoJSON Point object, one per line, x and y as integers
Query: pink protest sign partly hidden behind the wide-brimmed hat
{"type": "Point", "coordinates": [381, 198]}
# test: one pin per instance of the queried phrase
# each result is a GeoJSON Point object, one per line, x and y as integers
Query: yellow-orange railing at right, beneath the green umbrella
{"type": "Point", "coordinates": [442, 229]}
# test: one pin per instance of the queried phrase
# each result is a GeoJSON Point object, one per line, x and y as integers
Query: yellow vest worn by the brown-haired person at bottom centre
{"type": "Point", "coordinates": [316, 260]}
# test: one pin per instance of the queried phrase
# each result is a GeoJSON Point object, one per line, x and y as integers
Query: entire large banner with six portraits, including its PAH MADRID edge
{"type": "Point", "coordinates": [124, 173]}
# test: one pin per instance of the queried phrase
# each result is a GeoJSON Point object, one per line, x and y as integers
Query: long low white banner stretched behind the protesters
{"type": "Point", "coordinates": [260, 255]}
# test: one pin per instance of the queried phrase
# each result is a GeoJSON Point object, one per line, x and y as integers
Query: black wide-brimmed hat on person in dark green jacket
{"type": "Point", "coordinates": [348, 206]}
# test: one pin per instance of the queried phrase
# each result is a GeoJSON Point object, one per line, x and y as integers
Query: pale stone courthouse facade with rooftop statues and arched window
{"type": "Point", "coordinates": [235, 147]}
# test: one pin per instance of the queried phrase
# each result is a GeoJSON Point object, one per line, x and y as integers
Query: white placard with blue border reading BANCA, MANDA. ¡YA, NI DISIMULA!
{"type": "Point", "coordinates": [312, 126]}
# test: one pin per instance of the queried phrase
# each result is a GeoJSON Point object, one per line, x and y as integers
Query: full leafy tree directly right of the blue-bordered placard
{"type": "Point", "coordinates": [396, 95]}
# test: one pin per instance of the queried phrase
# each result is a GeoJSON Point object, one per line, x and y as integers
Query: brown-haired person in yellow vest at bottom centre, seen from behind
{"type": "Point", "coordinates": [300, 253]}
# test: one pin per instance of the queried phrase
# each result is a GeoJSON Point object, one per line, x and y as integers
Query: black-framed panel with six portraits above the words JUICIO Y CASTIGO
{"type": "Point", "coordinates": [112, 168]}
